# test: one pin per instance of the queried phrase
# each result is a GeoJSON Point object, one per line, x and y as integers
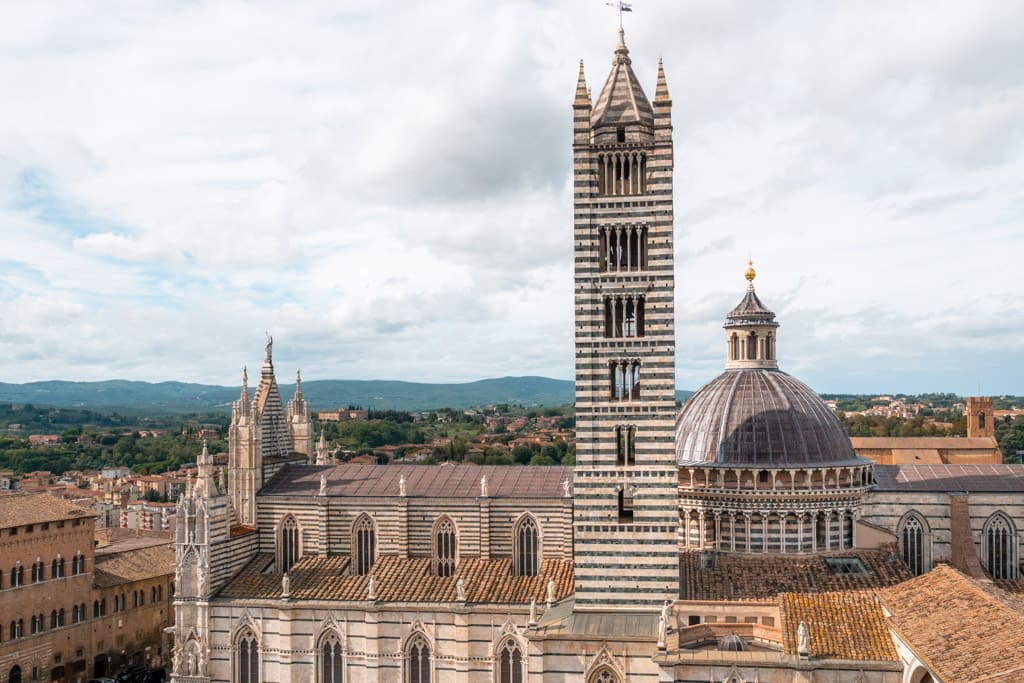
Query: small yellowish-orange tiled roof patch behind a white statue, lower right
{"type": "Point", "coordinates": [848, 625]}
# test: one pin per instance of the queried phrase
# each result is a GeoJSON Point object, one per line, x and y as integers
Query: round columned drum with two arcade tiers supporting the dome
{"type": "Point", "coordinates": [745, 510]}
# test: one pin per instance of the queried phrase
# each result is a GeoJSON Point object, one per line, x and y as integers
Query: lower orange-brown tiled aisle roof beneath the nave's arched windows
{"type": "Point", "coordinates": [401, 580]}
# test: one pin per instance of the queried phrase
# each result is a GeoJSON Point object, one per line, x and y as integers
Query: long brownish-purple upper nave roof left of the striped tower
{"type": "Point", "coordinates": [421, 481]}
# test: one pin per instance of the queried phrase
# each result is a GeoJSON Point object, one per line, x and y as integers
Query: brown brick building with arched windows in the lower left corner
{"type": "Point", "coordinates": [74, 606]}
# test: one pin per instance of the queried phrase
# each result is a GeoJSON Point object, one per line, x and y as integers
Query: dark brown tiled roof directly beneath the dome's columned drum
{"type": "Point", "coordinates": [765, 577]}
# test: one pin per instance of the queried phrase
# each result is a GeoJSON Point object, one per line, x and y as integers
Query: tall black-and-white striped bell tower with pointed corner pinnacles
{"type": "Point", "coordinates": [626, 476]}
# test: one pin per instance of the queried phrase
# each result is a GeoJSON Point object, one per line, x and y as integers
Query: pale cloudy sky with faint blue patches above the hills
{"type": "Point", "coordinates": [385, 187]}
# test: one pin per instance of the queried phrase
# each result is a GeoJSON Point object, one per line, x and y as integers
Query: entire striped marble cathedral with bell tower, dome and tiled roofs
{"type": "Point", "coordinates": [740, 540]}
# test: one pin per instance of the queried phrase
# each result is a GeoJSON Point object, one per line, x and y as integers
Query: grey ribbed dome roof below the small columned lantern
{"type": "Point", "coordinates": [760, 417]}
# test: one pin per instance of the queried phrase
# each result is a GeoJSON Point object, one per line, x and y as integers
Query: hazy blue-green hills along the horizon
{"type": "Point", "coordinates": [175, 398]}
